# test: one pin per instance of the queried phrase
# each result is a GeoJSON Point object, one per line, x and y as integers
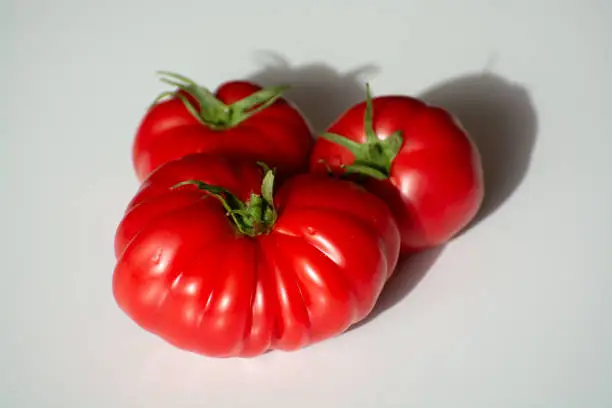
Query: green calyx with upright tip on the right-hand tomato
{"type": "Point", "coordinates": [374, 157]}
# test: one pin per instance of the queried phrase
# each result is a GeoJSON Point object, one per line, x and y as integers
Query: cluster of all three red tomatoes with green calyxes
{"type": "Point", "coordinates": [247, 234]}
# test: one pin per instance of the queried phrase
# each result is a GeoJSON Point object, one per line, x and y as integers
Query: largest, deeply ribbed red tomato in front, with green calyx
{"type": "Point", "coordinates": [213, 262]}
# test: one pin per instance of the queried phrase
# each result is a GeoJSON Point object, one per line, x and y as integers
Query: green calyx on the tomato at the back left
{"type": "Point", "coordinates": [212, 112]}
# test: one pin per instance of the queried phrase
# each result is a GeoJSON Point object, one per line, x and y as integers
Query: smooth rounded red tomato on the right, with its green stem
{"type": "Point", "coordinates": [416, 157]}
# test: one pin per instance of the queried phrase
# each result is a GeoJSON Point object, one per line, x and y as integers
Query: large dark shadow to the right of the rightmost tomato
{"type": "Point", "coordinates": [502, 120]}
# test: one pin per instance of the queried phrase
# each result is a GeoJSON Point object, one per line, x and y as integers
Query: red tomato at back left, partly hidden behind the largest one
{"type": "Point", "coordinates": [240, 120]}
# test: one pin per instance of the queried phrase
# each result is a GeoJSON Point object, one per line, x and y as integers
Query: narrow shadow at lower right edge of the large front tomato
{"type": "Point", "coordinates": [408, 273]}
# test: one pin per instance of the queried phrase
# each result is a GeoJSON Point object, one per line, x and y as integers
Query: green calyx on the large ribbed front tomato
{"type": "Point", "coordinates": [251, 218]}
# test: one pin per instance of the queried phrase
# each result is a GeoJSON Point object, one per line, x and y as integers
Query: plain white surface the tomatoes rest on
{"type": "Point", "coordinates": [514, 313]}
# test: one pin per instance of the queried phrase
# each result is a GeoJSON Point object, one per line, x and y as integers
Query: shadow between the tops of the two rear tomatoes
{"type": "Point", "coordinates": [318, 90]}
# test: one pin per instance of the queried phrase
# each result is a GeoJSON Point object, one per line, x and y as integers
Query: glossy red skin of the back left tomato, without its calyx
{"type": "Point", "coordinates": [278, 135]}
